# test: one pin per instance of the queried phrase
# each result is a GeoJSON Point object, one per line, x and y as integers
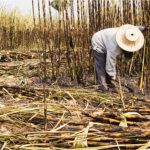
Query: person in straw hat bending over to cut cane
{"type": "Point", "coordinates": [107, 44]}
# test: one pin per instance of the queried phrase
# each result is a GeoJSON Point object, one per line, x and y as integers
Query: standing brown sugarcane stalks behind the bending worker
{"type": "Point", "coordinates": [68, 34]}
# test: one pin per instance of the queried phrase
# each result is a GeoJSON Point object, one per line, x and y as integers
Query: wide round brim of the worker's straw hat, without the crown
{"type": "Point", "coordinates": [124, 43]}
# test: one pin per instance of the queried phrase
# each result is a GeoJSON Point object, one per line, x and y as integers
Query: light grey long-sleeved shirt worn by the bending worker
{"type": "Point", "coordinates": [104, 41]}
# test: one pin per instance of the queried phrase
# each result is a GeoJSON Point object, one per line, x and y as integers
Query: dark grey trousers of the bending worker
{"type": "Point", "coordinates": [102, 77]}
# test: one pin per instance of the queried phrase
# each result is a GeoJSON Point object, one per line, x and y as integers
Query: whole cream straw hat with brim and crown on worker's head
{"type": "Point", "coordinates": [129, 38]}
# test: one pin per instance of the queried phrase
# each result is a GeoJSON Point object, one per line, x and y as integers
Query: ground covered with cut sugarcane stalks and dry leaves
{"type": "Point", "coordinates": [78, 117]}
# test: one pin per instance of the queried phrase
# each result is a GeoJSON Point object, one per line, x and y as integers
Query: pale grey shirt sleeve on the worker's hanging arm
{"type": "Point", "coordinates": [111, 64]}
